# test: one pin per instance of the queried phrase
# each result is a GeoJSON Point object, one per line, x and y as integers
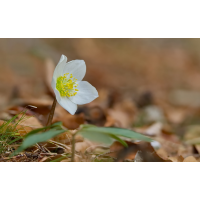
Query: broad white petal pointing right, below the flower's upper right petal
{"type": "Point", "coordinates": [86, 93]}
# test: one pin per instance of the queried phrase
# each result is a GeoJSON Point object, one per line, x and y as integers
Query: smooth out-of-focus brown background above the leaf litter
{"type": "Point", "coordinates": [168, 68]}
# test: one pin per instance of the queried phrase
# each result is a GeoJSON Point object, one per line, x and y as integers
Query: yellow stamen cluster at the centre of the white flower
{"type": "Point", "coordinates": [66, 85]}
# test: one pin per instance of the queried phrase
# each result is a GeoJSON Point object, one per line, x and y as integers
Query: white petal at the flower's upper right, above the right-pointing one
{"type": "Point", "coordinates": [77, 68]}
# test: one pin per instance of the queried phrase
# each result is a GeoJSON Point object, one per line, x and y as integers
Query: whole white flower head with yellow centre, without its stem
{"type": "Point", "coordinates": [68, 86]}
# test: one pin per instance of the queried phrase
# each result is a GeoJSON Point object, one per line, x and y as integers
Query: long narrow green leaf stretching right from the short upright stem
{"type": "Point", "coordinates": [117, 132]}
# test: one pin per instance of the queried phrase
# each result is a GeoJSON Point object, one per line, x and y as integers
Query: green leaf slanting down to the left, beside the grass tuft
{"type": "Point", "coordinates": [37, 138]}
